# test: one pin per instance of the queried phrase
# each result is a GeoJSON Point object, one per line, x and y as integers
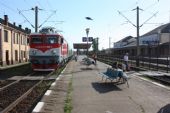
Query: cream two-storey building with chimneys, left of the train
{"type": "Point", "coordinates": [14, 45]}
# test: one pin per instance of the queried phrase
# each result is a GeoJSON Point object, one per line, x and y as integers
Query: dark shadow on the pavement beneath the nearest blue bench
{"type": "Point", "coordinates": [104, 87]}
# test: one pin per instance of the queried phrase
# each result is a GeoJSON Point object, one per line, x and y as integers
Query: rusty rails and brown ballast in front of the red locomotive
{"type": "Point", "coordinates": [13, 93]}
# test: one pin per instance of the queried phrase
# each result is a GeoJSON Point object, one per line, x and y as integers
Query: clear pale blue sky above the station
{"type": "Point", "coordinates": [68, 16]}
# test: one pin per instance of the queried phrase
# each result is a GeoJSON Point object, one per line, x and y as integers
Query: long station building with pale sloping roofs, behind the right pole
{"type": "Point", "coordinates": [154, 43]}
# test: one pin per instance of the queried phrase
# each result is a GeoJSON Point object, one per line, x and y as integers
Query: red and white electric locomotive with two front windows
{"type": "Point", "coordinates": [48, 50]}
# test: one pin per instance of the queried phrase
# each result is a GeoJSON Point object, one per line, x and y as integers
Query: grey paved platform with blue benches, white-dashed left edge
{"type": "Point", "coordinates": [90, 94]}
